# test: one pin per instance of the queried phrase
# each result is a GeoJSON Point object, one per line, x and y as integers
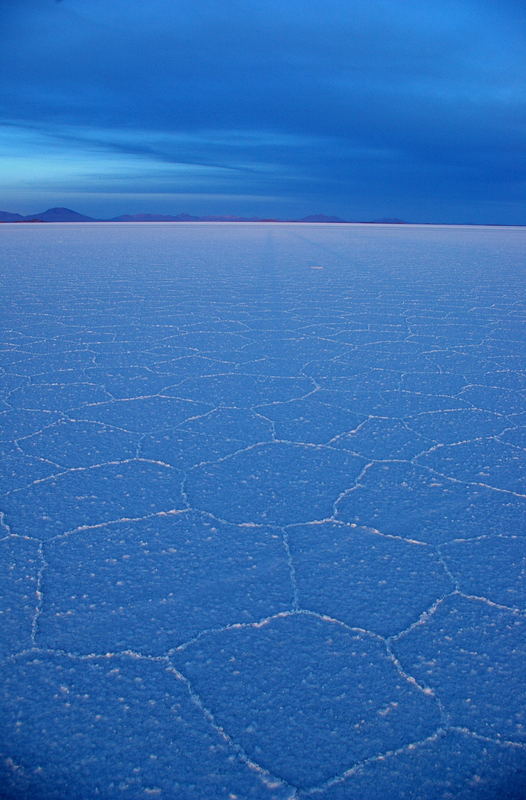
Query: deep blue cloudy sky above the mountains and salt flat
{"type": "Point", "coordinates": [356, 108]}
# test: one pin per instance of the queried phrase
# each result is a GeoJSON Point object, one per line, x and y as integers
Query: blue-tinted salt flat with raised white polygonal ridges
{"type": "Point", "coordinates": [263, 512]}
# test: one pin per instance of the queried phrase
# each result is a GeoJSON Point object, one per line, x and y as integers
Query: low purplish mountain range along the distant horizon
{"type": "Point", "coordinates": [67, 215]}
